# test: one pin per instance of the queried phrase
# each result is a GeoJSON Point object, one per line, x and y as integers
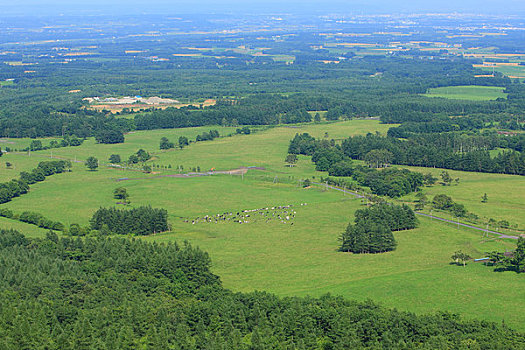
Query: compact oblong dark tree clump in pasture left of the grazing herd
{"type": "Point", "coordinates": [138, 221]}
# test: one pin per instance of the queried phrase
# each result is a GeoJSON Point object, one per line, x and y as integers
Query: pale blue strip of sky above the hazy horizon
{"type": "Point", "coordinates": [46, 7]}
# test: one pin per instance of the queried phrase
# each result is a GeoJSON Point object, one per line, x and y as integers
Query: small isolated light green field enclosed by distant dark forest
{"type": "Point", "coordinates": [472, 92]}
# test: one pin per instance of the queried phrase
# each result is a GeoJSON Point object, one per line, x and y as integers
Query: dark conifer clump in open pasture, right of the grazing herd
{"type": "Point", "coordinates": [372, 229]}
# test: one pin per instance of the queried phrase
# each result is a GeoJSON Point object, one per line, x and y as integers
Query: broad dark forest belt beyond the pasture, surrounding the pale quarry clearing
{"type": "Point", "coordinates": [271, 93]}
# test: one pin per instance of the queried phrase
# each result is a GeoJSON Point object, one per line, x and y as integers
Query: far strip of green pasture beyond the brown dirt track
{"type": "Point", "coordinates": [265, 148]}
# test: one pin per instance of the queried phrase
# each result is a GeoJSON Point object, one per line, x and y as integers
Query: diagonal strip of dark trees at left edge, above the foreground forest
{"type": "Point", "coordinates": [17, 187]}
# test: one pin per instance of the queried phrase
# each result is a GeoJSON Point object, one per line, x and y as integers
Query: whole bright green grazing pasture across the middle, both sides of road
{"type": "Point", "coordinates": [281, 258]}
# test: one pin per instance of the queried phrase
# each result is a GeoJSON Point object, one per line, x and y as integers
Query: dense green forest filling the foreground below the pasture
{"type": "Point", "coordinates": [122, 293]}
